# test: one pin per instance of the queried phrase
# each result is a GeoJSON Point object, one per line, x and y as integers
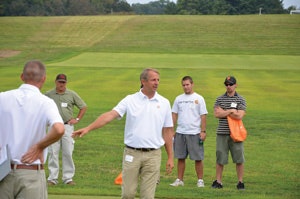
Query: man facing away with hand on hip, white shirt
{"type": "Point", "coordinates": [25, 116]}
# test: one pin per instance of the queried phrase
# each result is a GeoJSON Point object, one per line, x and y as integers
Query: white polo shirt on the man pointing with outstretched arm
{"type": "Point", "coordinates": [145, 119]}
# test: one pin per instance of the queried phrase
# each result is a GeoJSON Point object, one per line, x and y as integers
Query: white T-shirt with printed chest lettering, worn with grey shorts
{"type": "Point", "coordinates": [189, 109]}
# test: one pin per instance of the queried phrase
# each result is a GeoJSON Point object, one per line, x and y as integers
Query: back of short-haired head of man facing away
{"type": "Point", "coordinates": [34, 71]}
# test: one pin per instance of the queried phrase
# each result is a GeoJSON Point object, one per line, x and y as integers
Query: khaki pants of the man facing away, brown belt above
{"type": "Point", "coordinates": [24, 184]}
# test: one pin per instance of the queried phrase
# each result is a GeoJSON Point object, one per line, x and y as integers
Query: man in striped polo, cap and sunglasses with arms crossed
{"type": "Point", "coordinates": [234, 105]}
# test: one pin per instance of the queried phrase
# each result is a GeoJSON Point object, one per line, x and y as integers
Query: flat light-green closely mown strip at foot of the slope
{"type": "Point", "coordinates": [158, 60]}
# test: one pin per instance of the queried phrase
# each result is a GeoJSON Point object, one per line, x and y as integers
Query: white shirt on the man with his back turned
{"type": "Point", "coordinates": [25, 114]}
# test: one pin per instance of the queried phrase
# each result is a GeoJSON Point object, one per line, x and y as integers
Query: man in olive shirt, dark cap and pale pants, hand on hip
{"type": "Point", "coordinates": [65, 100]}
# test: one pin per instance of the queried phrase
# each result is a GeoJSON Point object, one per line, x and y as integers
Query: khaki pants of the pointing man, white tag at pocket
{"type": "Point", "coordinates": [143, 166]}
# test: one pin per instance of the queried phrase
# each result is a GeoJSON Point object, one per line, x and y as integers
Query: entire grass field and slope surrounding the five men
{"type": "Point", "coordinates": [104, 55]}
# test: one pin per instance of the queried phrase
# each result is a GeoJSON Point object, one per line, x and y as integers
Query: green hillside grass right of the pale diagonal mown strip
{"type": "Point", "coordinates": [245, 34]}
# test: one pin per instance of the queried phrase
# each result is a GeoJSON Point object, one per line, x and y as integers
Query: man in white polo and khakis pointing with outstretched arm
{"type": "Point", "coordinates": [148, 127]}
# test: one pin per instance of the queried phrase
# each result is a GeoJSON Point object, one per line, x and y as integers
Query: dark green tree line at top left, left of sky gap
{"type": "Point", "coordinates": [61, 7]}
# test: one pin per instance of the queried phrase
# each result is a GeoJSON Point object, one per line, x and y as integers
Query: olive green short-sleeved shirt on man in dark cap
{"type": "Point", "coordinates": [66, 102]}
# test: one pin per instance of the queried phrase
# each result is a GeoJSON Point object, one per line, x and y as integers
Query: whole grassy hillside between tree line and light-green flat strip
{"type": "Point", "coordinates": [58, 38]}
